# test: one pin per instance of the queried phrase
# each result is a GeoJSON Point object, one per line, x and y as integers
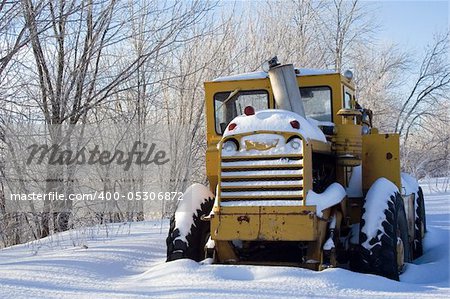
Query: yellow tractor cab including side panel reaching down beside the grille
{"type": "Point", "coordinates": [323, 93]}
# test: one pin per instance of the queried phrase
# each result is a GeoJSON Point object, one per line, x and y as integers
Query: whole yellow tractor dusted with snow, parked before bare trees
{"type": "Point", "coordinates": [298, 176]}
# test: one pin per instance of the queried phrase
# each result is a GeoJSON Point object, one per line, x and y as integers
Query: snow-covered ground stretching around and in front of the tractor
{"type": "Point", "coordinates": [127, 261]}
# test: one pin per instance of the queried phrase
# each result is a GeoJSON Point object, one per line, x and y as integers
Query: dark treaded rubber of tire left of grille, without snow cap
{"type": "Point", "coordinates": [192, 245]}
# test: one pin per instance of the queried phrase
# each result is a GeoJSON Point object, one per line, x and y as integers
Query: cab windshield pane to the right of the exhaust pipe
{"type": "Point", "coordinates": [317, 102]}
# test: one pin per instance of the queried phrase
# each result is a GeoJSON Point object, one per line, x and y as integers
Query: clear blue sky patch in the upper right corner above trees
{"type": "Point", "coordinates": [412, 23]}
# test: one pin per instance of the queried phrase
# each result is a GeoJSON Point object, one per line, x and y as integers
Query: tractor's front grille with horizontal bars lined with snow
{"type": "Point", "coordinates": [274, 177]}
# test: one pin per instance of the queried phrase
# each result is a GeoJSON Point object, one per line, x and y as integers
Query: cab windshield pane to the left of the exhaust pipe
{"type": "Point", "coordinates": [228, 105]}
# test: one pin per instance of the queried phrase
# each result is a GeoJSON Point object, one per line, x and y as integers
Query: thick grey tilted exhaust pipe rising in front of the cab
{"type": "Point", "coordinates": [284, 86]}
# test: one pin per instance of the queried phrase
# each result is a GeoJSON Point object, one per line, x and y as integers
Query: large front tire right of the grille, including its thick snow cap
{"type": "Point", "coordinates": [383, 228]}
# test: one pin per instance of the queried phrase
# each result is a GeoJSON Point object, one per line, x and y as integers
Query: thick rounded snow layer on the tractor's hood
{"type": "Point", "coordinates": [275, 120]}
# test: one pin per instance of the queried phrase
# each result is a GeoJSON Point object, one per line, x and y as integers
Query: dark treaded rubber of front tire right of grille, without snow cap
{"type": "Point", "coordinates": [381, 258]}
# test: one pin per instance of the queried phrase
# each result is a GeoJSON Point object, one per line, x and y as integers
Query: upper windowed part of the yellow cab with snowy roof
{"type": "Point", "coordinates": [323, 94]}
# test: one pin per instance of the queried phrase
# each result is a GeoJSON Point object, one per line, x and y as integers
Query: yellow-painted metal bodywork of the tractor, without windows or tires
{"type": "Point", "coordinates": [378, 154]}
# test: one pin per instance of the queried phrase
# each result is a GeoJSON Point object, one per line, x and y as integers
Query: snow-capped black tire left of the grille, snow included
{"type": "Point", "coordinates": [188, 233]}
